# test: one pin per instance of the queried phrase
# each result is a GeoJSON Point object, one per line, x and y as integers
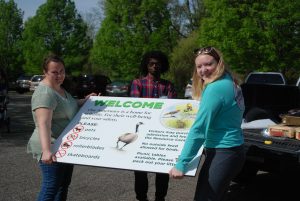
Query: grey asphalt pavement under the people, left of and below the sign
{"type": "Point", "coordinates": [20, 175]}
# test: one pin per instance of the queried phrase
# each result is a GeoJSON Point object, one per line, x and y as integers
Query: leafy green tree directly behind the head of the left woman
{"type": "Point", "coordinates": [56, 28]}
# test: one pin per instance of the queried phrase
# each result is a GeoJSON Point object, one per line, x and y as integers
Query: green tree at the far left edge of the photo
{"type": "Point", "coordinates": [11, 27]}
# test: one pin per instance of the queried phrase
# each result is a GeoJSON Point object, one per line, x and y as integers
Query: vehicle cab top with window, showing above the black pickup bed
{"type": "Point", "coordinates": [265, 78]}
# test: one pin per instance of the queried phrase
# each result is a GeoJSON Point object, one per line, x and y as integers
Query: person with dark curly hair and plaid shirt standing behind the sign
{"type": "Point", "coordinates": [153, 64]}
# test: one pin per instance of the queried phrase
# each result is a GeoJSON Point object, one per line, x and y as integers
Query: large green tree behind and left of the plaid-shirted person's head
{"type": "Point", "coordinates": [128, 30]}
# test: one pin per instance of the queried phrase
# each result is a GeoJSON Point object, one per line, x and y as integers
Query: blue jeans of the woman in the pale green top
{"type": "Point", "coordinates": [56, 181]}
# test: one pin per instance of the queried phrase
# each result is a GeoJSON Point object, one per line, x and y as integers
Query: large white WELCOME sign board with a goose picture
{"type": "Point", "coordinates": [143, 134]}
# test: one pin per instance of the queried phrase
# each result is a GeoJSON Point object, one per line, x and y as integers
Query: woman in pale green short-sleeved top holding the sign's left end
{"type": "Point", "coordinates": [52, 110]}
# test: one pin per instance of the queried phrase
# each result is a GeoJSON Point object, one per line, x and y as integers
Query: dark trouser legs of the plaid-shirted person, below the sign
{"type": "Point", "coordinates": [141, 185]}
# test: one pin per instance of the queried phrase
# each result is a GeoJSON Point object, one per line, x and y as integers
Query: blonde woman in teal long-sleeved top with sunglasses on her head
{"type": "Point", "coordinates": [217, 127]}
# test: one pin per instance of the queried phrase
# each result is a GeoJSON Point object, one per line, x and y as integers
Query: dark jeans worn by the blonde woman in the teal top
{"type": "Point", "coordinates": [221, 165]}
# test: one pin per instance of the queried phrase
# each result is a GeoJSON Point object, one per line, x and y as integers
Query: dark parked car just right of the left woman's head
{"type": "Point", "coordinates": [86, 84]}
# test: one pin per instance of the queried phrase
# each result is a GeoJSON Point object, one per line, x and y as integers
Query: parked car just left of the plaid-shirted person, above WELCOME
{"type": "Point", "coordinates": [118, 88]}
